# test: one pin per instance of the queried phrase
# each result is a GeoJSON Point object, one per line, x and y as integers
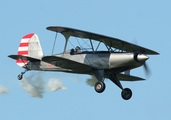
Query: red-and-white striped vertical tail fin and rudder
{"type": "Point", "coordinates": [29, 46]}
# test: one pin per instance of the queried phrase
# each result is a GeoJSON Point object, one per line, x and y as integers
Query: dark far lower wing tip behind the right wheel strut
{"type": "Point", "coordinates": [124, 77]}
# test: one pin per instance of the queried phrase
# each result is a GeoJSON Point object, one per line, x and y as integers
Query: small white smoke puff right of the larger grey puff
{"type": "Point", "coordinates": [55, 84]}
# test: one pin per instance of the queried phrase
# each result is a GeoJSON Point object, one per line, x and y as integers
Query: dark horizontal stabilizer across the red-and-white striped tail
{"type": "Point", "coordinates": [21, 57]}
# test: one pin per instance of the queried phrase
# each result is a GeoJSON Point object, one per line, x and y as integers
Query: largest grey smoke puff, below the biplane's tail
{"type": "Point", "coordinates": [34, 85]}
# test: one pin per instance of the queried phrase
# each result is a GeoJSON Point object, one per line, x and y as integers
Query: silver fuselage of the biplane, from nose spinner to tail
{"type": "Point", "coordinates": [98, 60]}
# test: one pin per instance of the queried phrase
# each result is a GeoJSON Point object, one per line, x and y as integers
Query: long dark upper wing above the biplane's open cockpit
{"type": "Point", "coordinates": [112, 42]}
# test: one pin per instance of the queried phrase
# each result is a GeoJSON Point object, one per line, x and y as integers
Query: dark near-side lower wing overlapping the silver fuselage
{"type": "Point", "coordinates": [66, 63]}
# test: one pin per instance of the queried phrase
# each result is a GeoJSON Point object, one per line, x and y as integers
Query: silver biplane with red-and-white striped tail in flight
{"type": "Point", "coordinates": [113, 63]}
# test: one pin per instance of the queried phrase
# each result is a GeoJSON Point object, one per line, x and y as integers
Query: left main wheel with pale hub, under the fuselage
{"type": "Point", "coordinates": [99, 86]}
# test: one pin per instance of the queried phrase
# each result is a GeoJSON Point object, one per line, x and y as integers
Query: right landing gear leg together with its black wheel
{"type": "Point", "coordinates": [126, 93]}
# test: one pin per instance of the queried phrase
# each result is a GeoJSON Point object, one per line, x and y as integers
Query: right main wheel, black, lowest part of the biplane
{"type": "Point", "coordinates": [126, 94]}
